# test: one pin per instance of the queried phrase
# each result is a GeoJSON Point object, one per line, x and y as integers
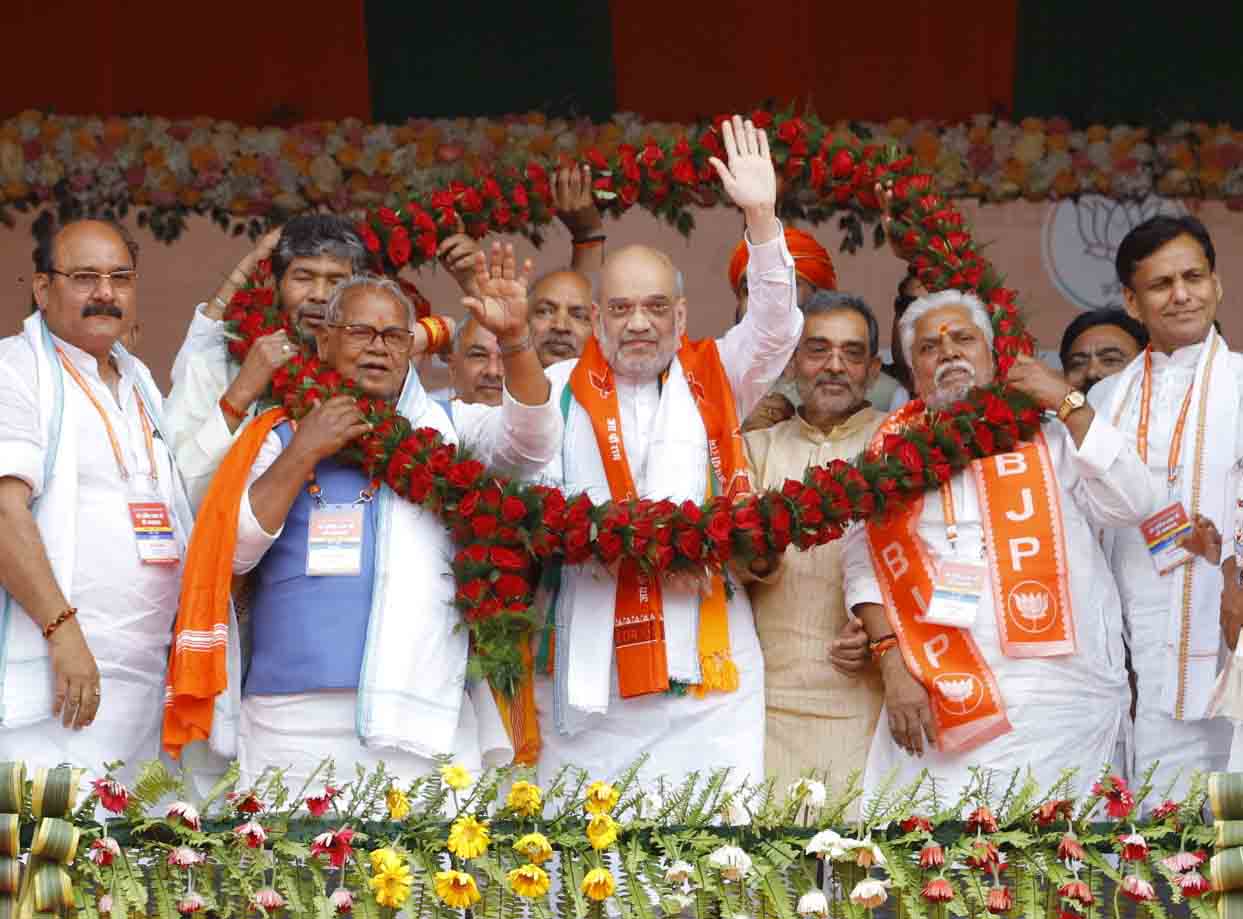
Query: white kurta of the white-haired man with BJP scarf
{"type": "Point", "coordinates": [1066, 712]}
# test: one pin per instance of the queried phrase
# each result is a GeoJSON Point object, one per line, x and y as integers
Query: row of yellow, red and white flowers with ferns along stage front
{"type": "Point", "coordinates": [370, 845]}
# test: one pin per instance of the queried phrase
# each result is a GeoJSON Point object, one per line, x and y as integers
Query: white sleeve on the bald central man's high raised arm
{"type": "Point", "coordinates": [758, 350]}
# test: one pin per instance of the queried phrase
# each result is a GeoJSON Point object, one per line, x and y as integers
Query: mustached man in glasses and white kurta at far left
{"type": "Point", "coordinates": [94, 519]}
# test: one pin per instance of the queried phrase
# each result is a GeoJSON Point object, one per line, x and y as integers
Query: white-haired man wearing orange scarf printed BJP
{"type": "Point", "coordinates": [995, 596]}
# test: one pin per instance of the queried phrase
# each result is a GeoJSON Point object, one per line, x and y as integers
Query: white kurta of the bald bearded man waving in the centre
{"type": "Point", "coordinates": [681, 734]}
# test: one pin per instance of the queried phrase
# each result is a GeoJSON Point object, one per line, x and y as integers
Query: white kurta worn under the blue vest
{"type": "Point", "coordinates": [298, 732]}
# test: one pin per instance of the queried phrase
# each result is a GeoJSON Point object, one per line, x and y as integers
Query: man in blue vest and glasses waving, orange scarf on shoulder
{"type": "Point", "coordinates": [357, 651]}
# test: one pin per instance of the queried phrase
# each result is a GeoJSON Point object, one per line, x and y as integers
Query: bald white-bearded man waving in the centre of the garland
{"type": "Point", "coordinates": [671, 668]}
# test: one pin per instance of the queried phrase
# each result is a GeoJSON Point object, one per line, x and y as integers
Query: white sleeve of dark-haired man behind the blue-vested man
{"type": "Point", "coordinates": [201, 436]}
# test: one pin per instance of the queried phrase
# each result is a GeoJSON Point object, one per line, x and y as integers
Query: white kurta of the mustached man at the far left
{"type": "Point", "coordinates": [126, 609]}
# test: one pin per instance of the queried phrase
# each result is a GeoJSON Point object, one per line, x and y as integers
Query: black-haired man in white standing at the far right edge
{"type": "Point", "coordinates": [1180, 400]}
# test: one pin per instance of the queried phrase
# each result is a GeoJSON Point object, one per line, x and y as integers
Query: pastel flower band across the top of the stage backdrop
{"type": "Point", "coordinates": [175, 169]}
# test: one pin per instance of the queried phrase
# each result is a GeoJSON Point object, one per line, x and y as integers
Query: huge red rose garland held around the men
{"type": "Point", "coordinates": [503, 528]}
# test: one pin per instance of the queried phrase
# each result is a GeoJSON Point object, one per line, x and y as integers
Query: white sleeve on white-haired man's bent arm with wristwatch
{"type": "Point", "coordinates": [1109, 482]}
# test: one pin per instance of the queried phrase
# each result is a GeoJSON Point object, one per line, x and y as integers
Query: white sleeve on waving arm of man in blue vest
{"type": "Point", "coordinates": [513, 437]}
